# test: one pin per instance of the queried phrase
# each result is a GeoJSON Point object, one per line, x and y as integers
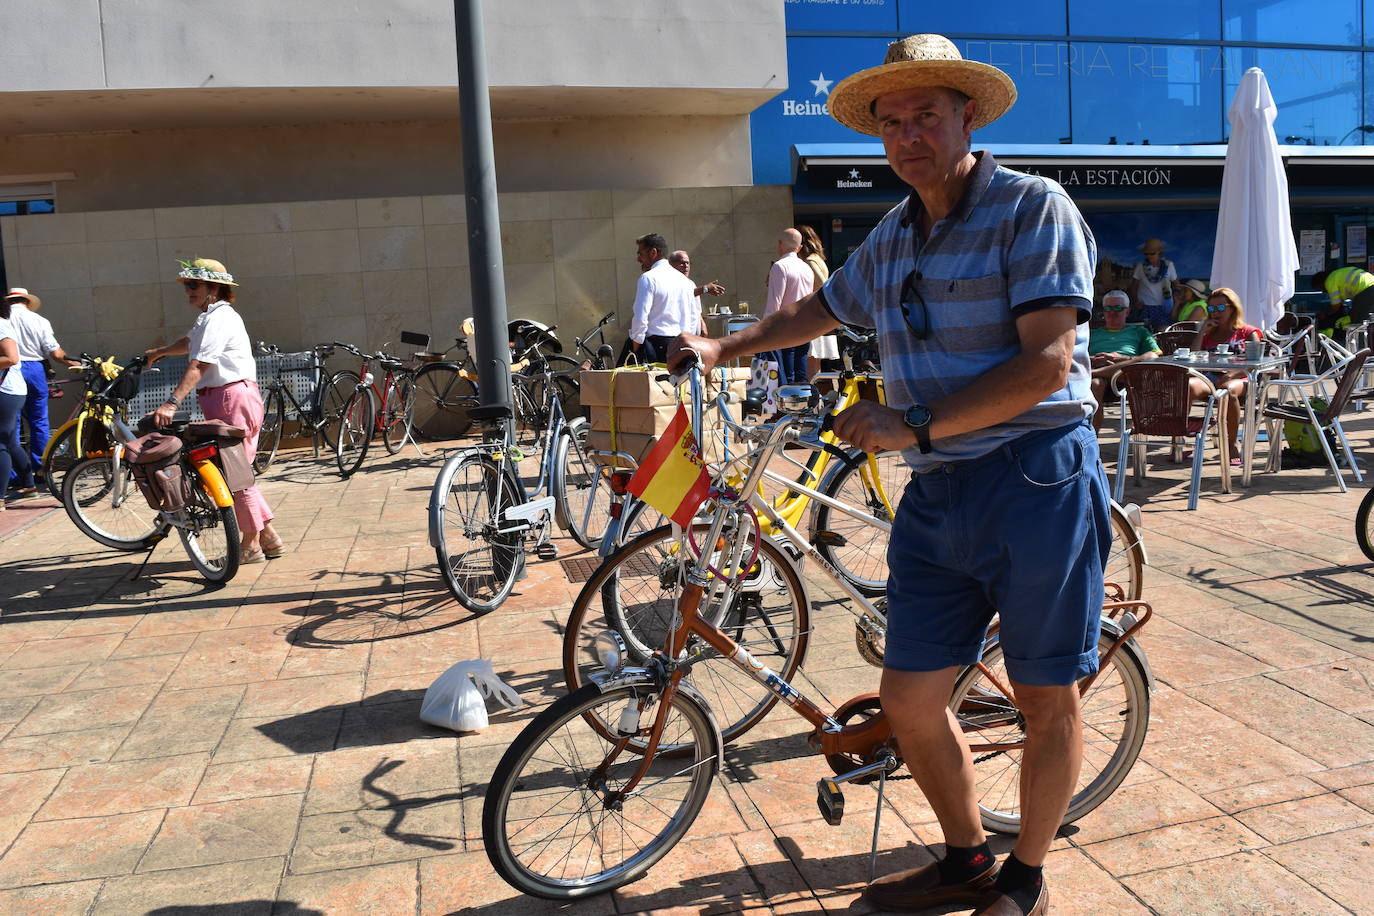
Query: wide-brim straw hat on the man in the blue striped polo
{"type": "Point", "coordinates": [917, 62]}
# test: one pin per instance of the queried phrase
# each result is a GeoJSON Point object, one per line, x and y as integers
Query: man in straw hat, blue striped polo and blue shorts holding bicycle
{"type": "Point", "coordinates": [980, 288]}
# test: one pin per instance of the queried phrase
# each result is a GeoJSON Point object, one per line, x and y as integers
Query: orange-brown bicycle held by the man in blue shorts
{"type": "Point", "coordinates": [605, 782]}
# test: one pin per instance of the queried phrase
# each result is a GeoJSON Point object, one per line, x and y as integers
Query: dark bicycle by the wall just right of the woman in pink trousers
{"type": "Point", "coordinates": [319, 413]}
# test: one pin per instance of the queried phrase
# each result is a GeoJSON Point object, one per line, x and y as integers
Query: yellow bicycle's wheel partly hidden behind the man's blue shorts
{"type": "Point", "coordinates": [862, 560]}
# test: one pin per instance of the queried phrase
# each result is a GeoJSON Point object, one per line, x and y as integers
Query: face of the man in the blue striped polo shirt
{"type": "Point", "coordinates": [924, 134]}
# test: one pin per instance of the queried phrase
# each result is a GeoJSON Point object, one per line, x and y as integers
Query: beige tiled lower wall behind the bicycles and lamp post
{"type": "Point", "coordinates": [362, 270]}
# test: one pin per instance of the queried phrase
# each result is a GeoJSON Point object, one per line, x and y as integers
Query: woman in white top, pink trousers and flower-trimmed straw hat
{"type": "Point", "coordinates": [225, 377]}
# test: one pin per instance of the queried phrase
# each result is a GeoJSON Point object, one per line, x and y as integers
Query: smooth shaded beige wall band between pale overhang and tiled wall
{"type": "Point", "coordinates": [128, 170]}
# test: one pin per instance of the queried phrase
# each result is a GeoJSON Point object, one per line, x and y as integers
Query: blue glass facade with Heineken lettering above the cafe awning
{"type": "Point", "coordinates": [1094, 72]}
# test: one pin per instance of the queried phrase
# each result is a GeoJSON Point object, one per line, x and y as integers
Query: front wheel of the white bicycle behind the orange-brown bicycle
{"type": "Point", "coordinates": [635, 593]}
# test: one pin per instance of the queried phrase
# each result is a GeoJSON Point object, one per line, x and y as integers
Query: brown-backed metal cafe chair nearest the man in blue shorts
{"type": "Point", "coordinates": [1156, 402]}
